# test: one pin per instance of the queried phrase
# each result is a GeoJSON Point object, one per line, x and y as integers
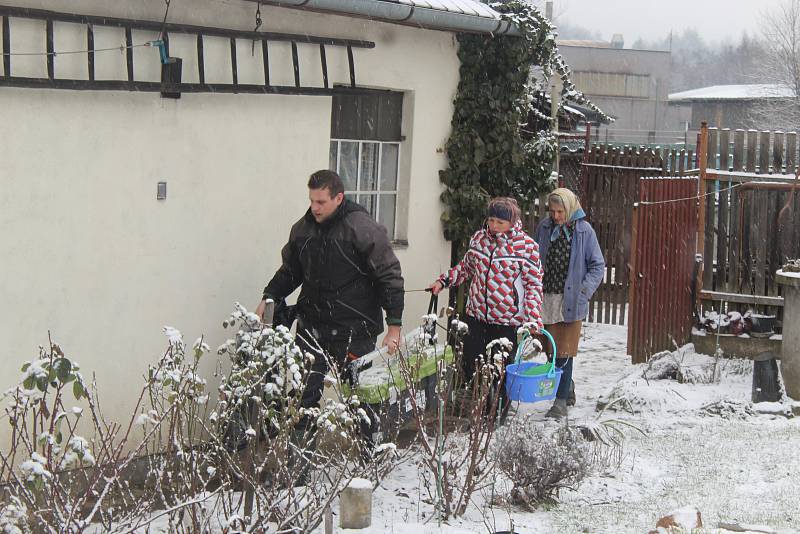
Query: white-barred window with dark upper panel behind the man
{"type": "Point", "coordinates": [365, 151]}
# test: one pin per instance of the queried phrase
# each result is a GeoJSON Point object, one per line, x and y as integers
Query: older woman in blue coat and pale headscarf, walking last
{"type": "Point", "coordinates": [573, 269]}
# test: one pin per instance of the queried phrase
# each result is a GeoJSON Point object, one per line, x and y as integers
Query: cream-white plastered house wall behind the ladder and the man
{"type": "Point", "coordinates": [90, 255]}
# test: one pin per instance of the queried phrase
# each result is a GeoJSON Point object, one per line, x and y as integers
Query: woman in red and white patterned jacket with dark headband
{"type": "Point", "coordinates": [506, 289]}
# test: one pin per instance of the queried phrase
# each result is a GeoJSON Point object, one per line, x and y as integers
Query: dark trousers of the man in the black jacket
{"type": "Point", "coordinates": [337, 351]}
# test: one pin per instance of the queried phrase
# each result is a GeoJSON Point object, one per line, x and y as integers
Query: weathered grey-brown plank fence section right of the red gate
{"type": "Point", "coordinates": [751, 217]}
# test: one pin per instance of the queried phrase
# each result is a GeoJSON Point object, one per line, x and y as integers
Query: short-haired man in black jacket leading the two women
{"type": "Point", "coordinates": [348, 271]}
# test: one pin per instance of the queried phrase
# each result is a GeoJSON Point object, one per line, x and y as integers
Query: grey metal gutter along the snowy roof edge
{"type": "Point", "coordinates": [421, 17]}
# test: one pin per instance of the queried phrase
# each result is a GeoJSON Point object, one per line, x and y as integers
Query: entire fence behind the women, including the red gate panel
{"type": "Point", "coordinates": [742, 202]}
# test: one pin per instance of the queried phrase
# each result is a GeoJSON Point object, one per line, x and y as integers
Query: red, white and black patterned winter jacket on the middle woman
{"type": "Point", "coordinates": [506, 275]}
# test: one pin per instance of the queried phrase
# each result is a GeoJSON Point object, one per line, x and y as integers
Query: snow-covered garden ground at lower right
{"type": "Point", "coordinates": [734, 464]}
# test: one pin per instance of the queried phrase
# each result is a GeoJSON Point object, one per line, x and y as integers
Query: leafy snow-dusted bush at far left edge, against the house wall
{"type": "Point", "coordinates": [45, 444]}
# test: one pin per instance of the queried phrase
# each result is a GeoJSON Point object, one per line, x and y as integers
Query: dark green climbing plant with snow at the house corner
{"type": "Point", "coordinates": [489, 153]}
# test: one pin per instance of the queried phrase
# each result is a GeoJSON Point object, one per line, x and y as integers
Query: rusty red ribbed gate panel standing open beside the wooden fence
{"type": "Point", "coordinates": [663, 258]}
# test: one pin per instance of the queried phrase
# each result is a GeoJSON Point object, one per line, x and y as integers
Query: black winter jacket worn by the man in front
{"type": "Point", "coordinates": [348, 271]}
